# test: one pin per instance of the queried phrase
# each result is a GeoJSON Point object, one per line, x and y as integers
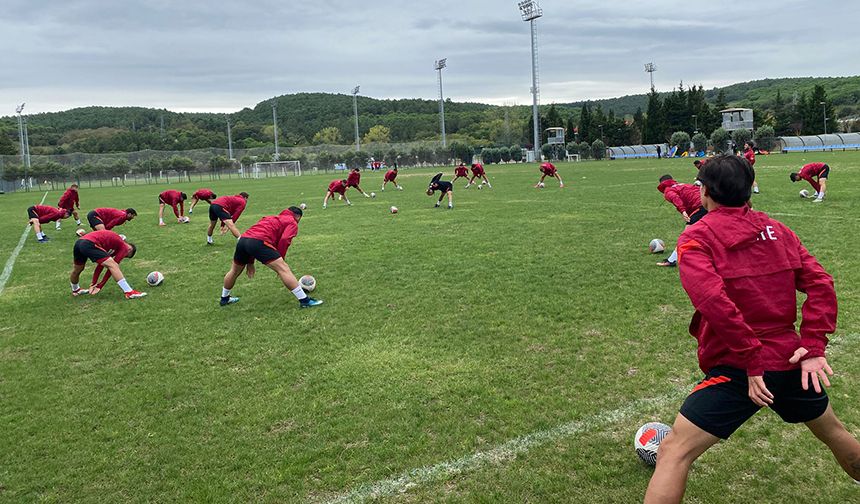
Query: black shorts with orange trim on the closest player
{"type": "Point", "coordinates": [720, 403]}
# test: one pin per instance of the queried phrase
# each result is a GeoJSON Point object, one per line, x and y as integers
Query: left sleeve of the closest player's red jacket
{"type": "Point", "coordinates": [707, 292]}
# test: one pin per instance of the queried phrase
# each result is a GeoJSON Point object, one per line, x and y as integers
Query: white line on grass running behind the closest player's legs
{"type": "Point", "coordinates": [509, 450]}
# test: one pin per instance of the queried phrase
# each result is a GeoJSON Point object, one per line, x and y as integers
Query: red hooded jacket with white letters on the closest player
{"type": "Point", "coordinates": [741, 270]}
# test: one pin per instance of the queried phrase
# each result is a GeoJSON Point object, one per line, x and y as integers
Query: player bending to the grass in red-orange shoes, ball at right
{"type": "Point", "coordinates": [107, 249]}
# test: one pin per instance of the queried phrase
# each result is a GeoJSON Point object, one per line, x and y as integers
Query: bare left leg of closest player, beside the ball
{"type": "Point", "coordinates": [676, 454]}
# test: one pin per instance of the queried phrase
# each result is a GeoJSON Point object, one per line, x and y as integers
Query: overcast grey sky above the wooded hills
{"type": "Point", "coordinates": [194, 55]}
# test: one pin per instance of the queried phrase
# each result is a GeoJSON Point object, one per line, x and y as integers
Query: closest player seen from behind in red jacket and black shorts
{"type": "Point", "coordinates": [741, 270]}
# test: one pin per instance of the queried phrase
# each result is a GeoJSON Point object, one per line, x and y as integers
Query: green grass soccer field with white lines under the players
{"type": "Point", "coordinates": [505, 351]}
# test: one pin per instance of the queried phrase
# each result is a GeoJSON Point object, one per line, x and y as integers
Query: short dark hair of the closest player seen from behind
{"type": "Point", "coordinates": [728, 180]}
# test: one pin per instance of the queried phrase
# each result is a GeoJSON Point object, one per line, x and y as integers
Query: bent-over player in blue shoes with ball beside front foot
{"type": "Point", "coordinates": [267, 241]}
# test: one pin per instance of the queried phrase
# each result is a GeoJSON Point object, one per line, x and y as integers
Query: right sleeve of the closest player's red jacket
{"type": "Point", "coordinates": [820, 308]}
